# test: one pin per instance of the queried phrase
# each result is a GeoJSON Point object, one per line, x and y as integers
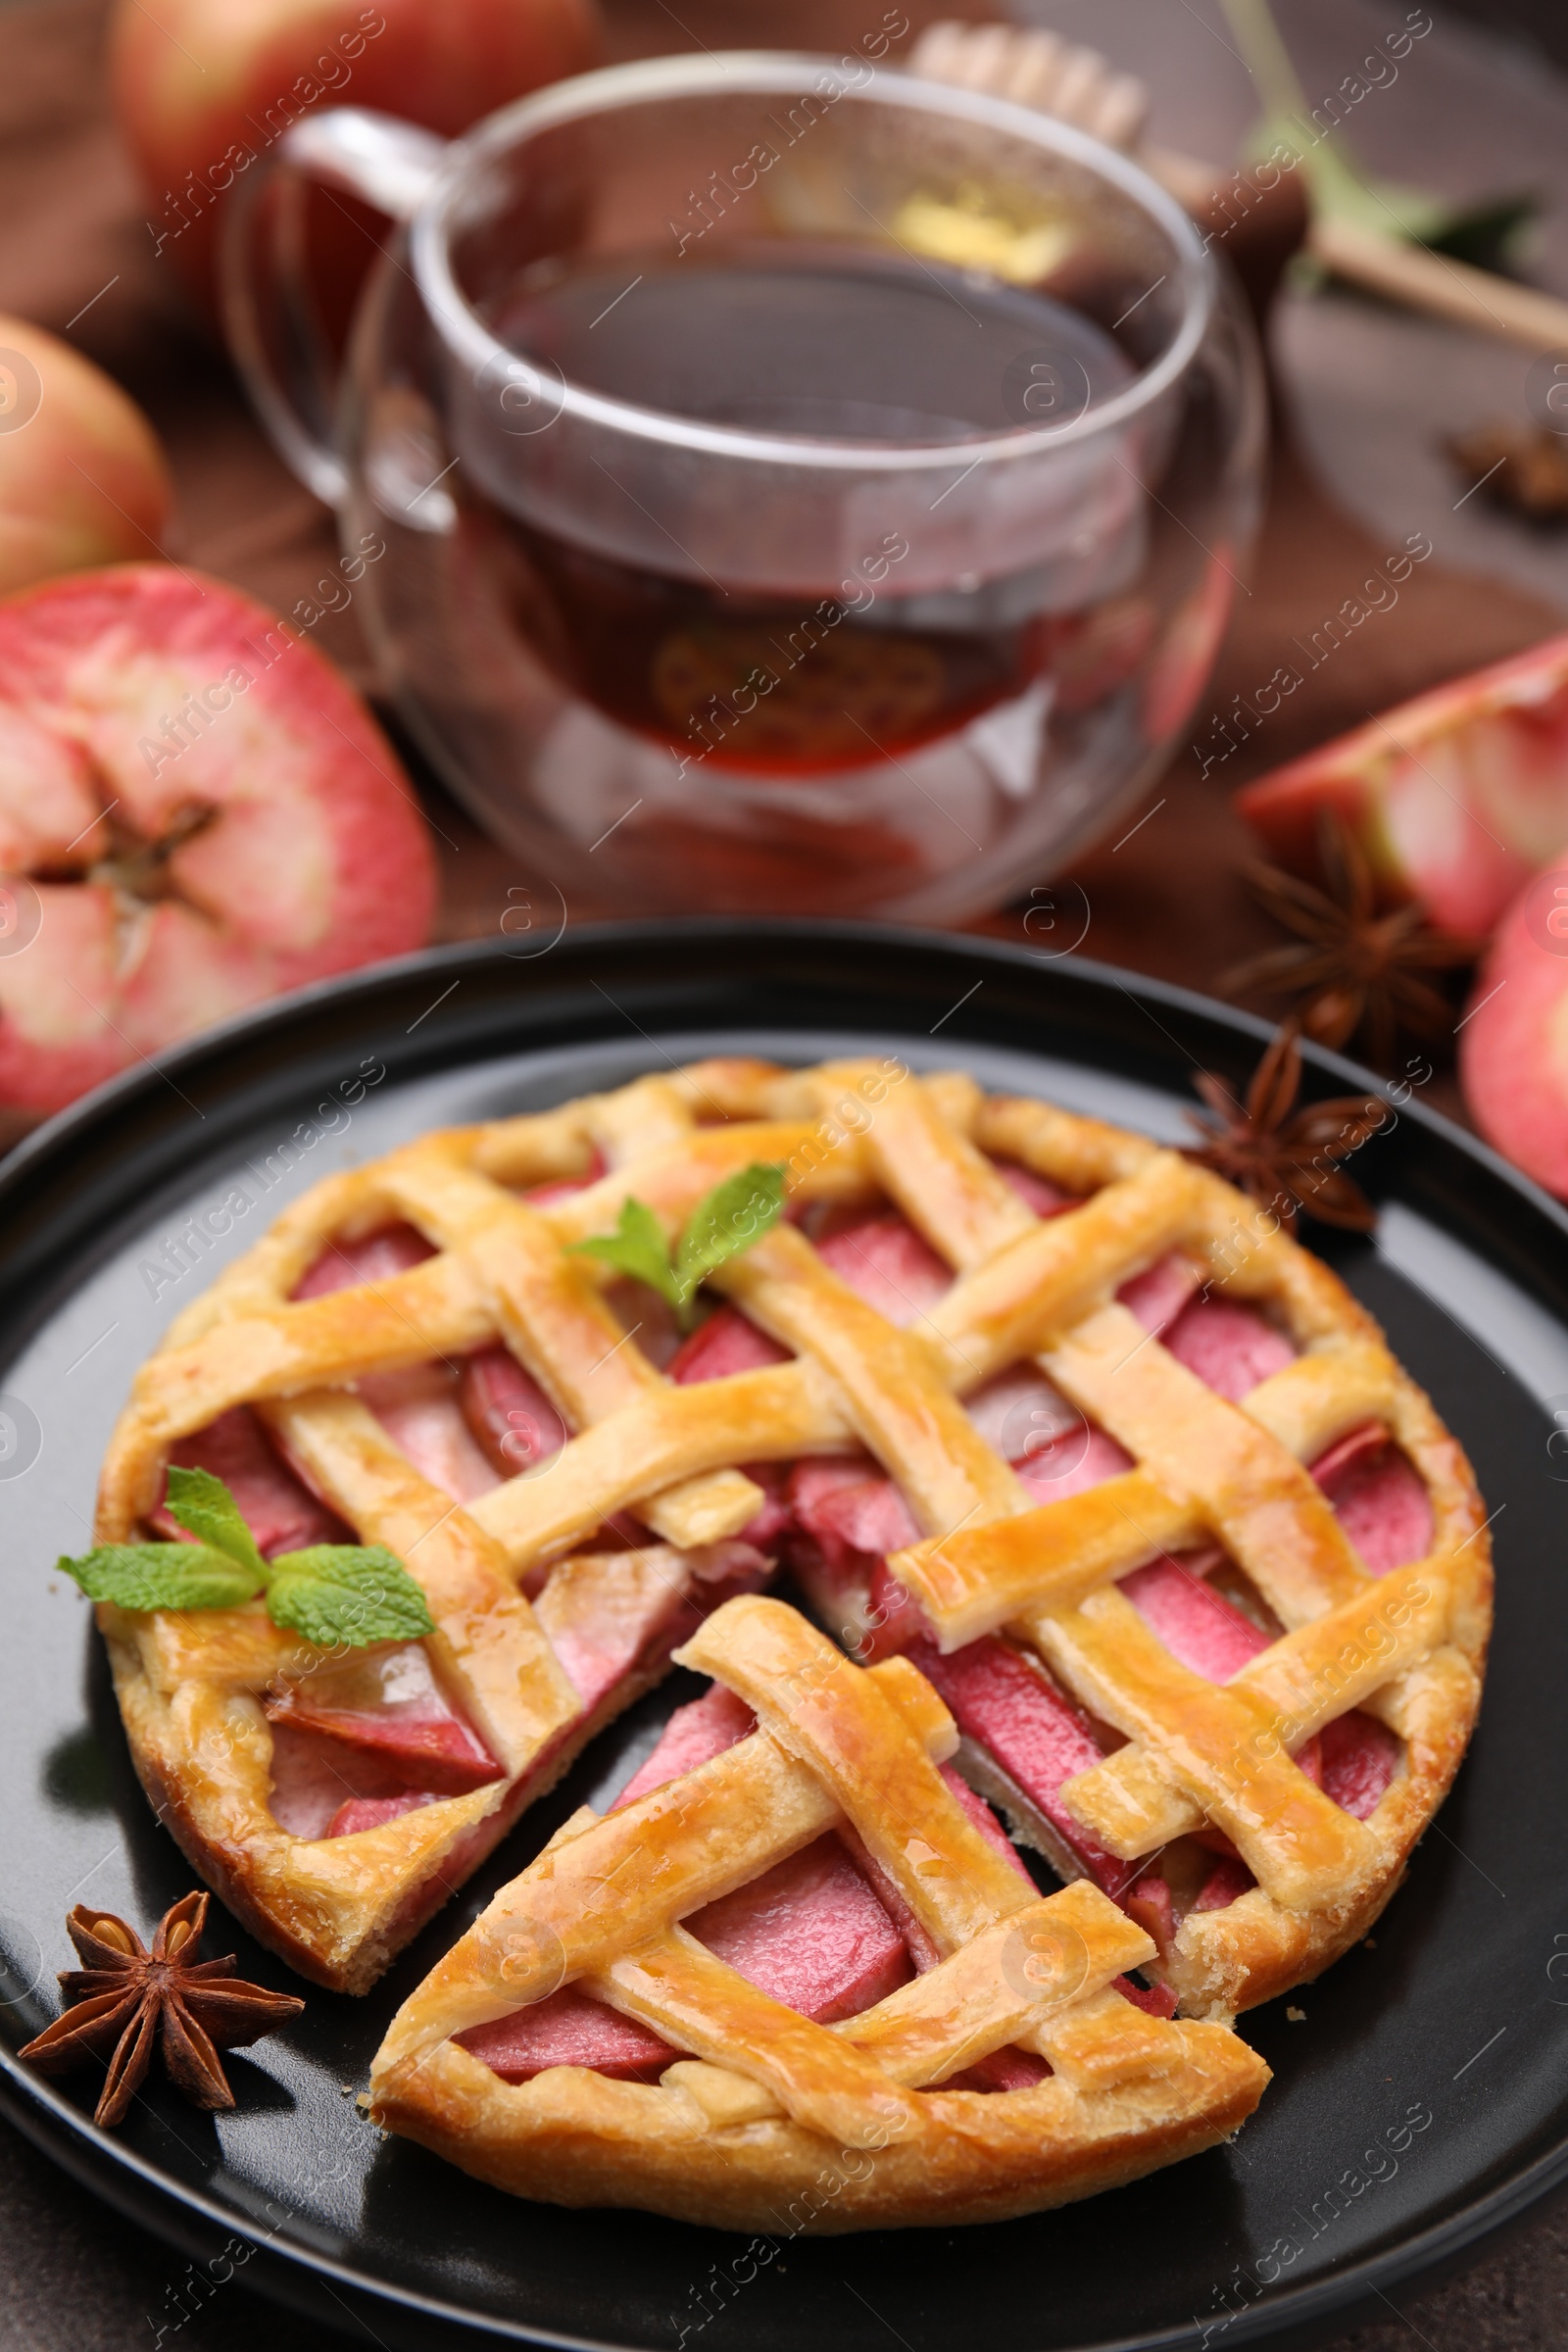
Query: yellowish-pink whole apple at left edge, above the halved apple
{"type": "Point", "coordinates": [83, 479]}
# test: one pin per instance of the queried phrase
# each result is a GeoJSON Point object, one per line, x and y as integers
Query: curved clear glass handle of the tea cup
{"type": "Point", "coordinates": [274, 328]}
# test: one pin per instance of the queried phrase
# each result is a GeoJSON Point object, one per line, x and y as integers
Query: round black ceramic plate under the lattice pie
{"type": "Point", "coordinates": [1421, 2094]}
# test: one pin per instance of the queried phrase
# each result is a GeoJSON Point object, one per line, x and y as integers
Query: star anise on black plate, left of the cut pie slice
{"type": "Point", "coordinates": [128, 1998]}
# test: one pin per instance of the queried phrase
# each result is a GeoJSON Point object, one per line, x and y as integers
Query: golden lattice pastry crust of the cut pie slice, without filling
{"type": "Point", "coordinates": [603, 1909]}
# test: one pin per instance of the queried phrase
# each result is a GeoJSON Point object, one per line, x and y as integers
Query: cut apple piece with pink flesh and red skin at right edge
{"type": "Point", "coordinates": [1456, 796]}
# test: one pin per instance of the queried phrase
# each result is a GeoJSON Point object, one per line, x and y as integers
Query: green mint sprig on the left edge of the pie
{"type": "Point", "coordinates": [335, 1596]}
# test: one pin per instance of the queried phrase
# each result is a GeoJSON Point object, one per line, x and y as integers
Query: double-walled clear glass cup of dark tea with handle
{"type": "Point", "coordinates": [772, 481]}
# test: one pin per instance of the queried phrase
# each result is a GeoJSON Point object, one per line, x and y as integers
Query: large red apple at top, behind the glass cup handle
{"type": "Point", "coordinates": [206, 88]}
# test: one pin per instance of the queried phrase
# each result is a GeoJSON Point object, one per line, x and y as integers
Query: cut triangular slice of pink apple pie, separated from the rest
{"type": "Point", "coordinates": [798, 1982]}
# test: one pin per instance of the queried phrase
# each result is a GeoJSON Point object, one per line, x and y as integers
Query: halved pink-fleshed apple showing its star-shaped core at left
{"type": "Point", "coordinates": [196, 813]}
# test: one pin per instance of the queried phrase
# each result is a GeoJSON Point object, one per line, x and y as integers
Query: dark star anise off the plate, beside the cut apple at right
{"type": "Point", "coordinates": [1355, 970]}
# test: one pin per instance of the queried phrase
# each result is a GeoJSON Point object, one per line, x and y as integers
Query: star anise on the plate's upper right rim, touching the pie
{"type": "Point", "coordinates": [1280, 1156]}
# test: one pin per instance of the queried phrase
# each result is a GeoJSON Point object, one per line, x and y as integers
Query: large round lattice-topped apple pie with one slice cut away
{"type": "Point", "coordinates": [1146, 1669]}
